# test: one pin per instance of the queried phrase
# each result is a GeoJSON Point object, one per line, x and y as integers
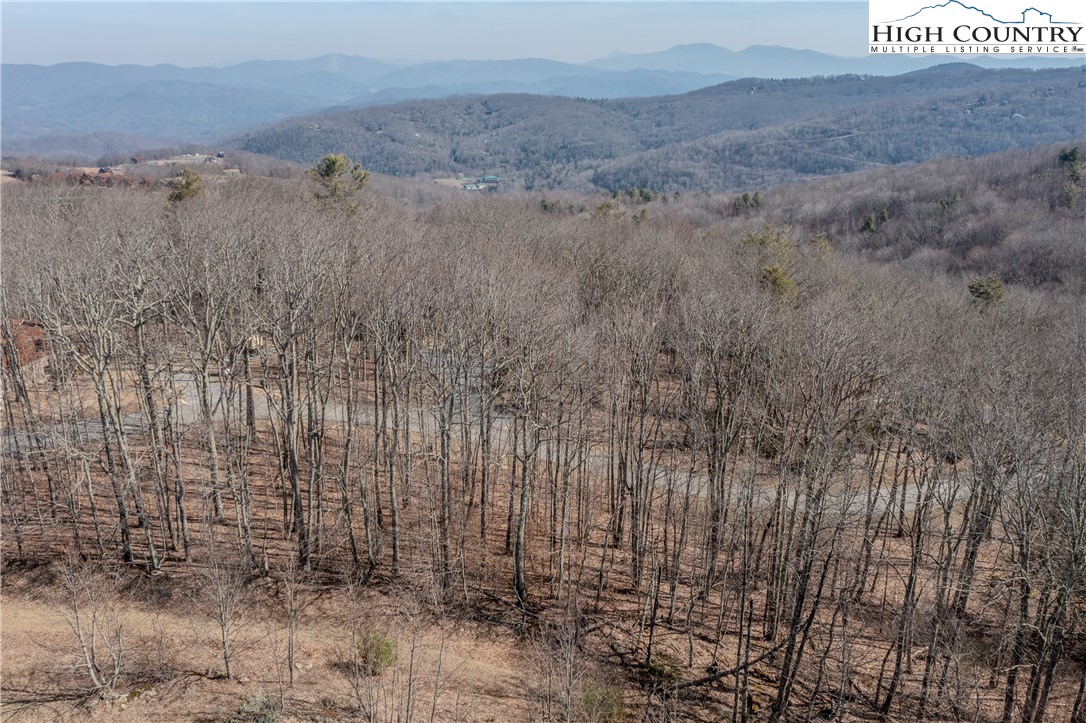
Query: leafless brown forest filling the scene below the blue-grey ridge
{"type": "Point", "coordinates": [812, 453]}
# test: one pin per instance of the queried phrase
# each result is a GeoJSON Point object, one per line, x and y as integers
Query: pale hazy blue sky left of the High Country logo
{"type": "Point", "coordinates": [222, 33]}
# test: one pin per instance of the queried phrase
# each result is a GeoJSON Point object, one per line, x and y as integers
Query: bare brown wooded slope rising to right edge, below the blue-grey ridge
{"type": "Point", "coordinates": [1018, 214]}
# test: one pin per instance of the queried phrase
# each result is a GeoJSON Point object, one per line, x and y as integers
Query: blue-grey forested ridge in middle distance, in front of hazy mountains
{"type": "Point", "coordinates": [738, 136]}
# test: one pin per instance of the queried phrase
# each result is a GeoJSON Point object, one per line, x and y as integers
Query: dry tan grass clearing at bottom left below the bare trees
{"type": "Point", "coordinates": [173, 671]}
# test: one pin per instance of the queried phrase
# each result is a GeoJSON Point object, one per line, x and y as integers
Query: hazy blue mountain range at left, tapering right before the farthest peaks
{"type": "Point", "coordinates": [72, 107]}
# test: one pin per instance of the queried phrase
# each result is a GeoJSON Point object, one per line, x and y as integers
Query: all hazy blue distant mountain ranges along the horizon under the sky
{"type": "Point", "coordinates": [89, 109]}
